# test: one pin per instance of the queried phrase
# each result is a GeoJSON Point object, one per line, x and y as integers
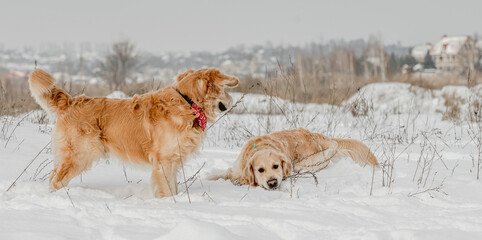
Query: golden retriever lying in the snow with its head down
{"type": "Point", "coordinates": [269, 159]}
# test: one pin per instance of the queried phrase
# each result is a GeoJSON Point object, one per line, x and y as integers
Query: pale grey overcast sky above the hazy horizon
{"type": "Point", "coordinates": [219, 24]}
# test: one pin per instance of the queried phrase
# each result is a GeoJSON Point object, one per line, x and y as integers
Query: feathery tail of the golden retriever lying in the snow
{"type": "Point", "coordinates": [357, 151]}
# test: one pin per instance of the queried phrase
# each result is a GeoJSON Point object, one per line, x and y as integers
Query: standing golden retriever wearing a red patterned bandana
{"type": "Point", "coordinates": [157, 129]}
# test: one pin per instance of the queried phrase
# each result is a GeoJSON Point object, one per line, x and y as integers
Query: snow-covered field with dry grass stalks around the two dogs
{"type": "Point", "coordinates": [426, 189]}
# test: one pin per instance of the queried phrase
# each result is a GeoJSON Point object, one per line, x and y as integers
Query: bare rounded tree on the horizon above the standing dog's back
{"type": "Point", "coordinates": [119, 64]}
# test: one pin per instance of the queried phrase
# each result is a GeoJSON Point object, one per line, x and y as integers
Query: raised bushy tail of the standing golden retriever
{"type": "Point", "coordinates": [51, 98]}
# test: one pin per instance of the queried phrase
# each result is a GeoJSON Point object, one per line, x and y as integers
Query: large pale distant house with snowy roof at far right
{"type": "Point", "coordinates": [456, 54]}
